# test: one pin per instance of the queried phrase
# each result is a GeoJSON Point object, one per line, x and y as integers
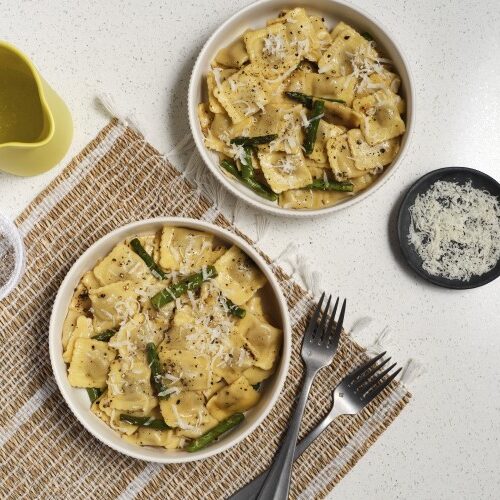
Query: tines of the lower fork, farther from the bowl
{"type": "Point", "coordinates": [369, 380]}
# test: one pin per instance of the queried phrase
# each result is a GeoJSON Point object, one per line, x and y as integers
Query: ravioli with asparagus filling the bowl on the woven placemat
{"type": "Point", "coordinates": [169, 335]}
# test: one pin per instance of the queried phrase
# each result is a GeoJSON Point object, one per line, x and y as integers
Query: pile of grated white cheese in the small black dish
{"type": "Point", "coordinates": [455, 229]}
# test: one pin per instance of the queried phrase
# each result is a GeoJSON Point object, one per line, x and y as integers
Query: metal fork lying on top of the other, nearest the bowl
{"type": "Point", "coordinates": [320, 342]}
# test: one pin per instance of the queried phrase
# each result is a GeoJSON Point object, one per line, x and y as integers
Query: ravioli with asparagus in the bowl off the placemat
{"type": "Point", "coordinates": [280, 94]}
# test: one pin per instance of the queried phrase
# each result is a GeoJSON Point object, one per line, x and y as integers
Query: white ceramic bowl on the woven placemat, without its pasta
{"type": "Point", "coordinates": [78, 400]}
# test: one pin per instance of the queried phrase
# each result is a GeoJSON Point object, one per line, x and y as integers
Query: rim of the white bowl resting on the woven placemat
{"type": "Point", "coordinates": [71, 279]}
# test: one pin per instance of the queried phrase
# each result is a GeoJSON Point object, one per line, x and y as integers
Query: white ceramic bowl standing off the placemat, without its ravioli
{"type": "Point", "coordinates": [255, 16]}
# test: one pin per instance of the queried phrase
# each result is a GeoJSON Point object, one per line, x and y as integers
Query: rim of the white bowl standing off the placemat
{"type": "Point", "coordinates": [238, 191]}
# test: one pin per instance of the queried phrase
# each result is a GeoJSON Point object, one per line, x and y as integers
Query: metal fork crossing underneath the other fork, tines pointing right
{"type": "Point", "coordinates": [350, 396]}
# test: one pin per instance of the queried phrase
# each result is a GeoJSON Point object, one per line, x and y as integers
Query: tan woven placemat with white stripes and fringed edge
{"type": "Point", "coordinates": [45, 452]}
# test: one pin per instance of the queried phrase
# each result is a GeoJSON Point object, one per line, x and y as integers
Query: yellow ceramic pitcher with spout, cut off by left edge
{"type": "Point", "coordinates": [35, 125]}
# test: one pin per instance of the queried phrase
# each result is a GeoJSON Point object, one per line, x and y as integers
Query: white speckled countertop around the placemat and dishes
{"type": "Point", "coordinates": [446, 443]}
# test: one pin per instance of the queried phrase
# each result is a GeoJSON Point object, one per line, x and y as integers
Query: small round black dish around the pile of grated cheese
{"type": "Point", "coordinates": [459, 175]}
